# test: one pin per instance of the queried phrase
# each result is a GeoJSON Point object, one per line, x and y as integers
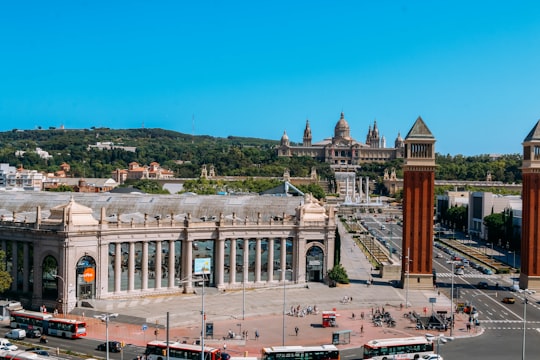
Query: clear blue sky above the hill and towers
{"type": "Point", "coordinates": [470, 69]}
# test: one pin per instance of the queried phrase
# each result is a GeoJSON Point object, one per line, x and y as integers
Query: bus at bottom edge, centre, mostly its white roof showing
{"type": "Point", "coordinates": [323, 352]}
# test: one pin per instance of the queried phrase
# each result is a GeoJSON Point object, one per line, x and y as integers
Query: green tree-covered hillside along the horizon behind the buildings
{"type": "Point", "coordinates": [231, 156]}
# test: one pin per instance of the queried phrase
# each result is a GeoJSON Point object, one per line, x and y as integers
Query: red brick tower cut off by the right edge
{"type": "Point", "coordinates": [530, 233]}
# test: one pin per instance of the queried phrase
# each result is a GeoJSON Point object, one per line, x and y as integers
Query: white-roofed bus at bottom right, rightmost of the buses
{"type": "Point", "coordinates": [398, 348]}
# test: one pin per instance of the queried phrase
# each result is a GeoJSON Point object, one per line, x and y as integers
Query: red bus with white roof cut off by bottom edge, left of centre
{"type": "Point", "coordinates": [157, 350]}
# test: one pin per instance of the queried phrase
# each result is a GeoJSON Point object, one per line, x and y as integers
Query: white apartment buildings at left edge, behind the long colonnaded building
{"type": "Point", "coordinates": [13, 179]}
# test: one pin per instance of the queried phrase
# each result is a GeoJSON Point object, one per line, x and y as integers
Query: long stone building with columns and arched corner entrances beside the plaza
{"type": "Point", "coordinates": [63, 248]}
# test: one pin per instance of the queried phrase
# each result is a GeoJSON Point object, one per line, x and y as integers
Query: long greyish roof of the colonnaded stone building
{"type": "Point", "coordinates": [135, 206]}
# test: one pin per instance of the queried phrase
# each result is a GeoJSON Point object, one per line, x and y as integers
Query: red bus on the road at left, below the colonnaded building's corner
{"type": "Point", "coordinates": [47, 324]}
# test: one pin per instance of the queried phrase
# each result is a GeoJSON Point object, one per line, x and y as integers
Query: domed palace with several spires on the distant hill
{"type": "Point", "coordinates": [341, 149]}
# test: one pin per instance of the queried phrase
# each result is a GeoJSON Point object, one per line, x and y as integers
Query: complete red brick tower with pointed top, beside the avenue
{"type": "Point", "coordinates": [418, 207]}
